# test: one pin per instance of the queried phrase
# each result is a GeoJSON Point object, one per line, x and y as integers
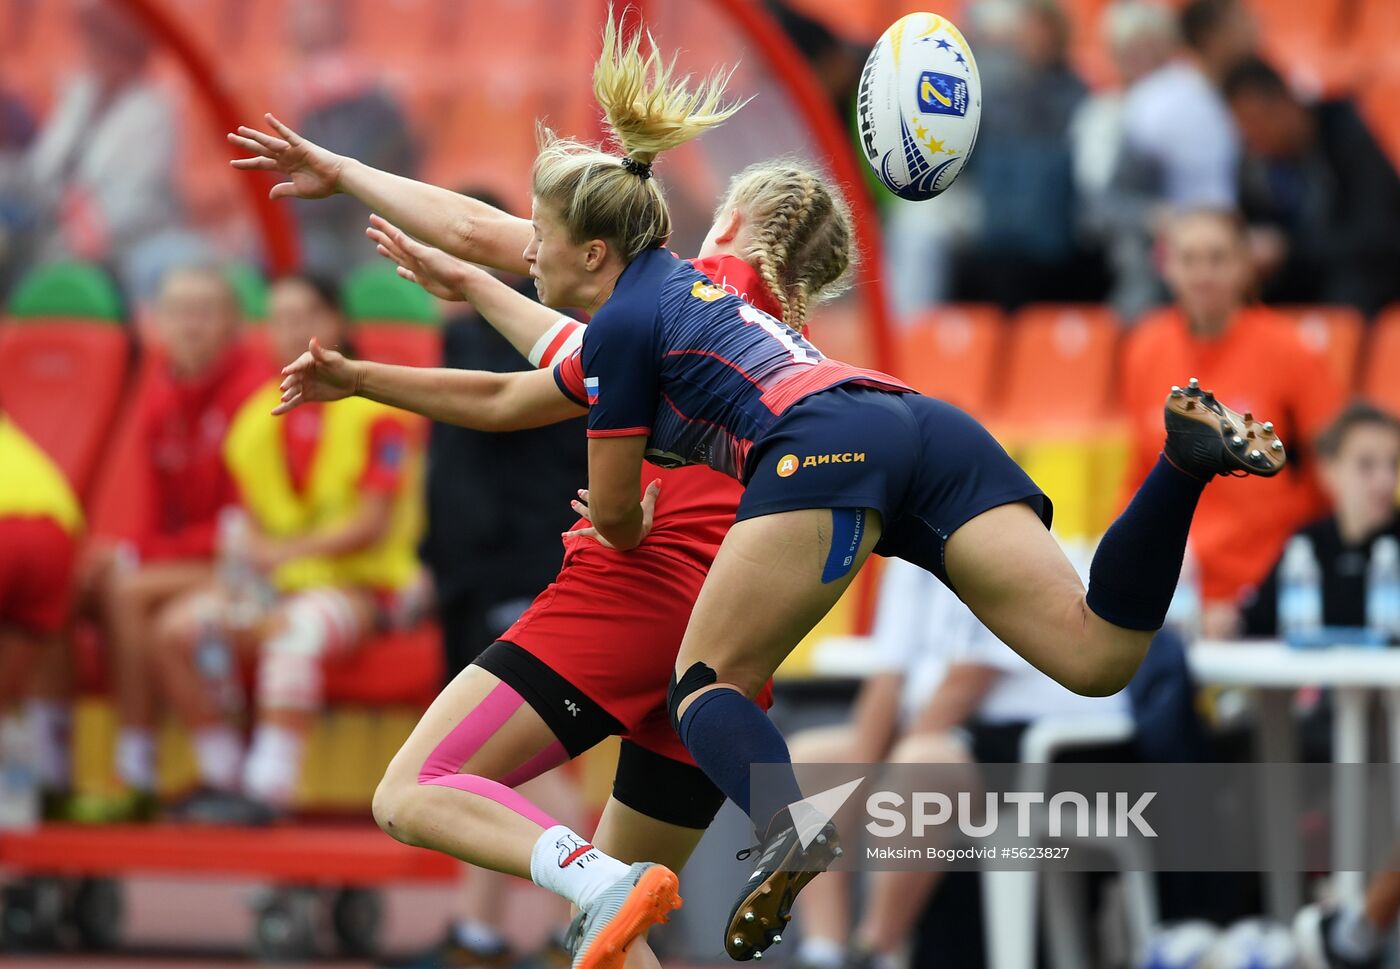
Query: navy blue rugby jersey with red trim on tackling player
{"type": "Point", "coordinates": [684, 359]}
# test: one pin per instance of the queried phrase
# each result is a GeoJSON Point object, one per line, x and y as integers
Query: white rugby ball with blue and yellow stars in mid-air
{"type": "Point", "coordinates": [919, 106]}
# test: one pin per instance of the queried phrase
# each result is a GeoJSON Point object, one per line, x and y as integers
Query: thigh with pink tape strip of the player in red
{"type": "Point", "coordinates": [477, 723]}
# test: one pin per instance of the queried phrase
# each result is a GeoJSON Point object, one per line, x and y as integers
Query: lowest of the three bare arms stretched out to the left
{"type": "Point", "coordinates": [471, 398]}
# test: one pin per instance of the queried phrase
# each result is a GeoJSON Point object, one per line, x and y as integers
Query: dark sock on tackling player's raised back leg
{"type": "Point", "coordinates": [1139, 562]}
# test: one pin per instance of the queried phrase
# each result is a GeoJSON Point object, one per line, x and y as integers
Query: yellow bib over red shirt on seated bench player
{"type": "Point", "coordinates": [257, 459]}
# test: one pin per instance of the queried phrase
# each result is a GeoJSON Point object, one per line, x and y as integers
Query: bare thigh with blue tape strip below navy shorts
{"type": "Point", "coordinates": [766, 590]}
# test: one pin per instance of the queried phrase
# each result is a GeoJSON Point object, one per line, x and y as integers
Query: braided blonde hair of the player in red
{"type": "Point", "coordinates": [801, 235]}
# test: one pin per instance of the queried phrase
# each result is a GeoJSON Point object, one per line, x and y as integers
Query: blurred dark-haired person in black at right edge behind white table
{"type": "Point", "coordinates": [1360, 470]}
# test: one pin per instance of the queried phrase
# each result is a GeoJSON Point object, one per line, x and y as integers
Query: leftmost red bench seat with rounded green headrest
{"type": "Point", "coordinates": [64, 362]}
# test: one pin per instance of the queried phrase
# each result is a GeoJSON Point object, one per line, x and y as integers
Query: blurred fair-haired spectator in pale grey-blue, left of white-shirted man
{"type": "Point", "coordinates": [1114, 215]}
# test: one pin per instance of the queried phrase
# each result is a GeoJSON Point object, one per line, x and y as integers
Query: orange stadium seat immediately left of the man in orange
{"type": "Point", "coordinates": [1060, 365]}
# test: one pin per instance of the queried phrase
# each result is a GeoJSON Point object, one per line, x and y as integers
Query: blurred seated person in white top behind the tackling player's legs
{"type": "Point", "coordinates": [946, 691]}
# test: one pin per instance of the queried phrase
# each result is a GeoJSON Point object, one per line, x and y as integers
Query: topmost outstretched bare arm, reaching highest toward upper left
{"type": "Point", "coordinates": [456, 223]}
